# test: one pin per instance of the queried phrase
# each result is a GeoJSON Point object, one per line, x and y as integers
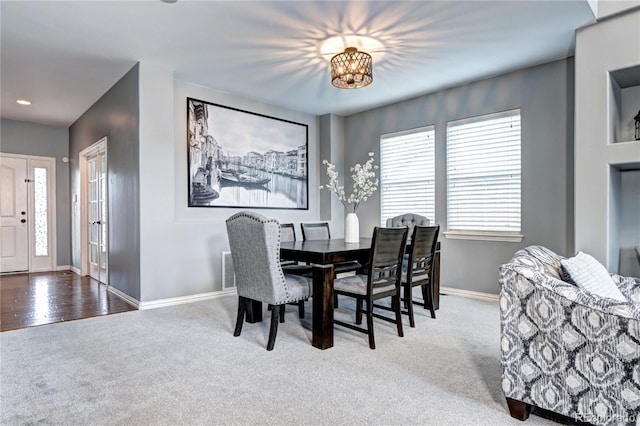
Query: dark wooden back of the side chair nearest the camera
{"type": "Point", "coordinates": [385, 261]}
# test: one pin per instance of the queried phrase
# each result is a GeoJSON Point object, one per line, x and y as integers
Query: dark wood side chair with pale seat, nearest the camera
{"type": "Point", "coordinates": [381, 281]}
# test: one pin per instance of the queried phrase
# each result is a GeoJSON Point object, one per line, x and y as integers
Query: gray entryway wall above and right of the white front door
{"type": "Point", "coordinates": [20, 137]}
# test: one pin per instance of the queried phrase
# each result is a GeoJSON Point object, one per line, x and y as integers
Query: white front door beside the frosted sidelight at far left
{"type": "Point", "coordinates": [14, 229]}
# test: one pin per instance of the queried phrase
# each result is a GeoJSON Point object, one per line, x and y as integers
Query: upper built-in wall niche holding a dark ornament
{"type": "Point", "coordinates": [624, 103]}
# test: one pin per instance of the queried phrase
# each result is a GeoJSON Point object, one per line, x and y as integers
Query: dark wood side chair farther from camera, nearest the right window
{"type": "Point", "coordinates": [419, 269]}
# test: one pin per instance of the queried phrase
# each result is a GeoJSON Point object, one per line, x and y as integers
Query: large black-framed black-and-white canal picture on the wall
{"type": "Point", "coordinates": [243, 159]}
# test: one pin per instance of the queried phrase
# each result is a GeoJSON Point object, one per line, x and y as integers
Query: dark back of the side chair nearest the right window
{"type": "Point", "coordinates": [423, 250]}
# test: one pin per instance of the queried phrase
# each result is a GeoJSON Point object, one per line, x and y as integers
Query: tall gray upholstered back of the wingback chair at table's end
{"type": "Point", "coordinates": [254, 241]}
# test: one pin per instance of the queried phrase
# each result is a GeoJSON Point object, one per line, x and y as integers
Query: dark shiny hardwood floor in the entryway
{"type": "Point", "coordinates": [28, 300]}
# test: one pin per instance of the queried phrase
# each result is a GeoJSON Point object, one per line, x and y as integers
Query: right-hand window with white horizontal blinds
{"type": "Point", "coordinates": [483, 177]}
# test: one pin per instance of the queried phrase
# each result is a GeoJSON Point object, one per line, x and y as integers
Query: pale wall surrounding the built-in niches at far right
{"type": "Point", "coordinates": [611, 45]}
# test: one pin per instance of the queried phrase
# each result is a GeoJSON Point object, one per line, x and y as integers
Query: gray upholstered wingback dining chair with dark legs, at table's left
{"type": "Point", "coordinates": [254, 241]}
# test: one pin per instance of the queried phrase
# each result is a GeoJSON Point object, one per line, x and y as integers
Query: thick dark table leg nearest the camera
{"type": "Point", "coordinates": [322, 326]}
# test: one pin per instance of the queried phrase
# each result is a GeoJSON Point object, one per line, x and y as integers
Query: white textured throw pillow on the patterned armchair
{"type": "Point", "coordinates": [590, 275]}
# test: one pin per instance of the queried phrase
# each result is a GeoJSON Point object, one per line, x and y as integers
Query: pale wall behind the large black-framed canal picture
{"type": "Point", "coordinates": [180, 246]}
